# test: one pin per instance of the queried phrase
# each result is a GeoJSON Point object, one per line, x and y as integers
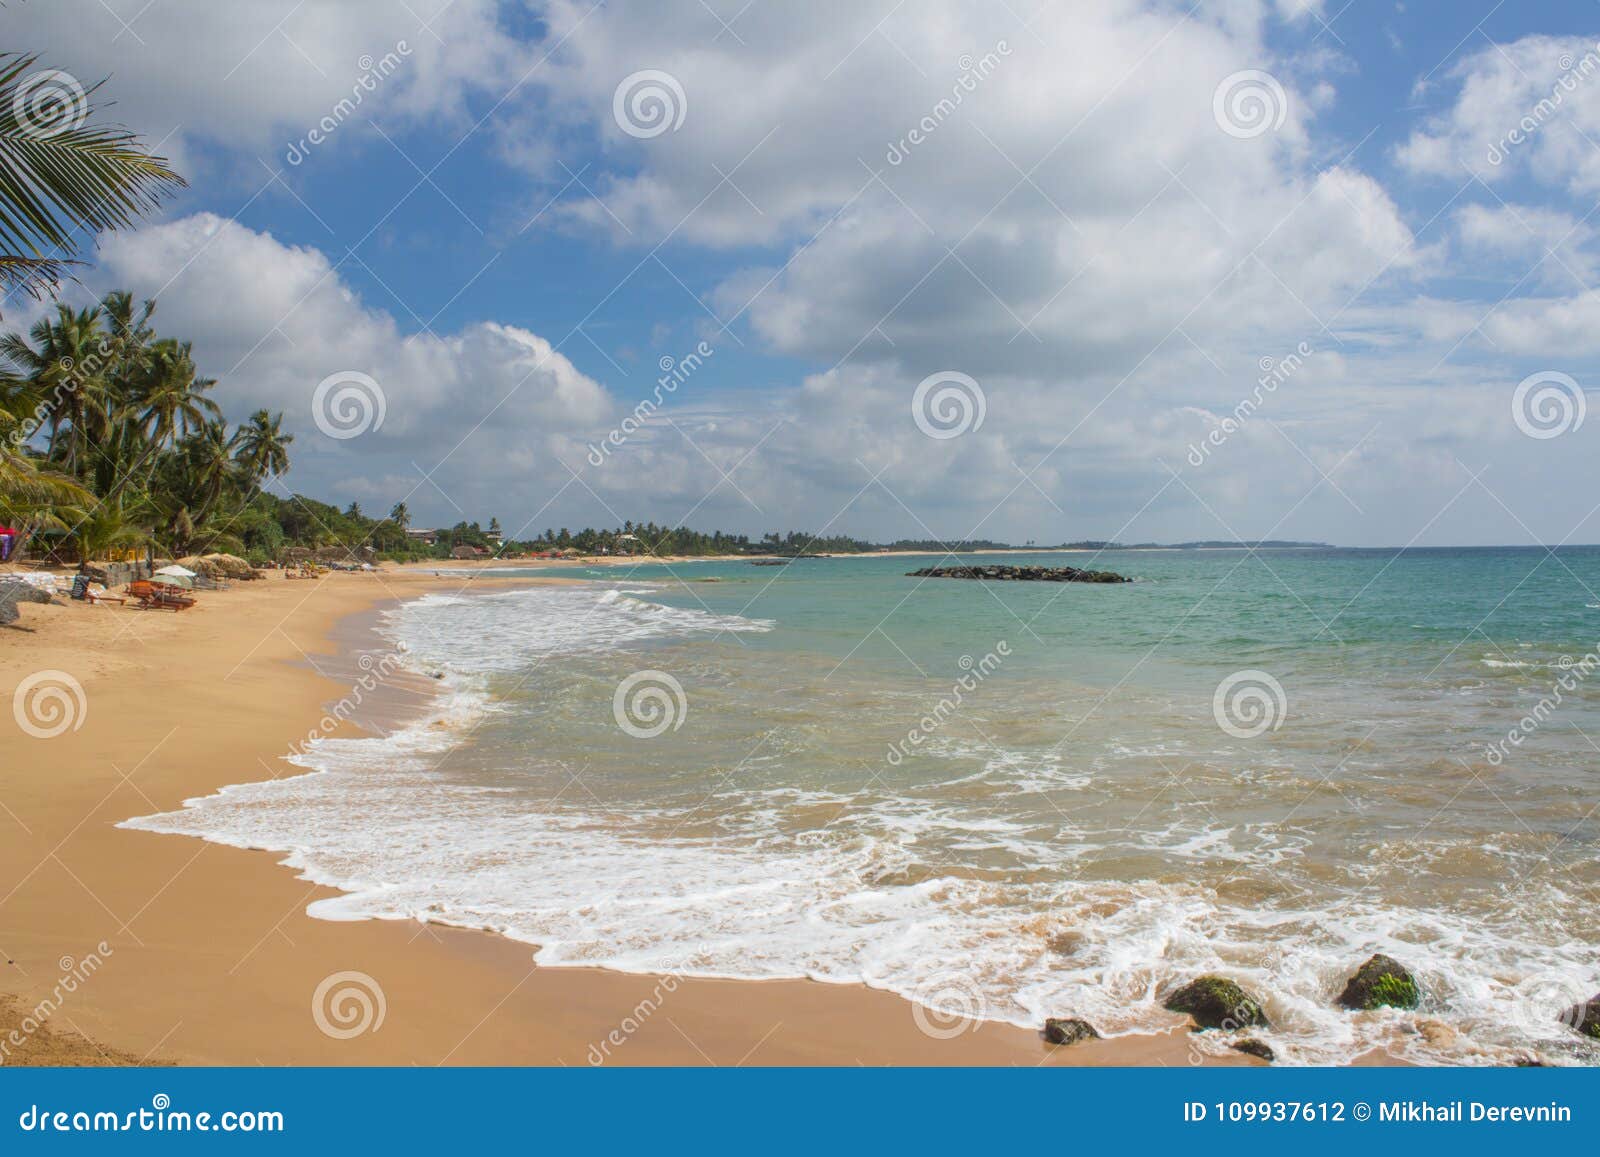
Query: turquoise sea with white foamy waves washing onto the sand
{"type": "Point", "coordinates": [1009, 801]}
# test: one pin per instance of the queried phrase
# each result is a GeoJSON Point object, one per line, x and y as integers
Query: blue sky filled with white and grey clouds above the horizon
{"type": "Point", "coordinates": [1137, 271]}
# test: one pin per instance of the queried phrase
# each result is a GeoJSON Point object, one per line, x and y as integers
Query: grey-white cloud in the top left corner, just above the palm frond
{"type": "Point", "coordinates": [260, 76]}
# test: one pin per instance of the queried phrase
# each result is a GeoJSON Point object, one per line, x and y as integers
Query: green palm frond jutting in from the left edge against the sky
{"type": "Point", "coordinates": [63, 177]}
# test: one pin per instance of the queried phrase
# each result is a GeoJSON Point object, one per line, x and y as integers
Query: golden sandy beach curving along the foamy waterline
{"type": "Point", "coordinates": [143, 948]}
